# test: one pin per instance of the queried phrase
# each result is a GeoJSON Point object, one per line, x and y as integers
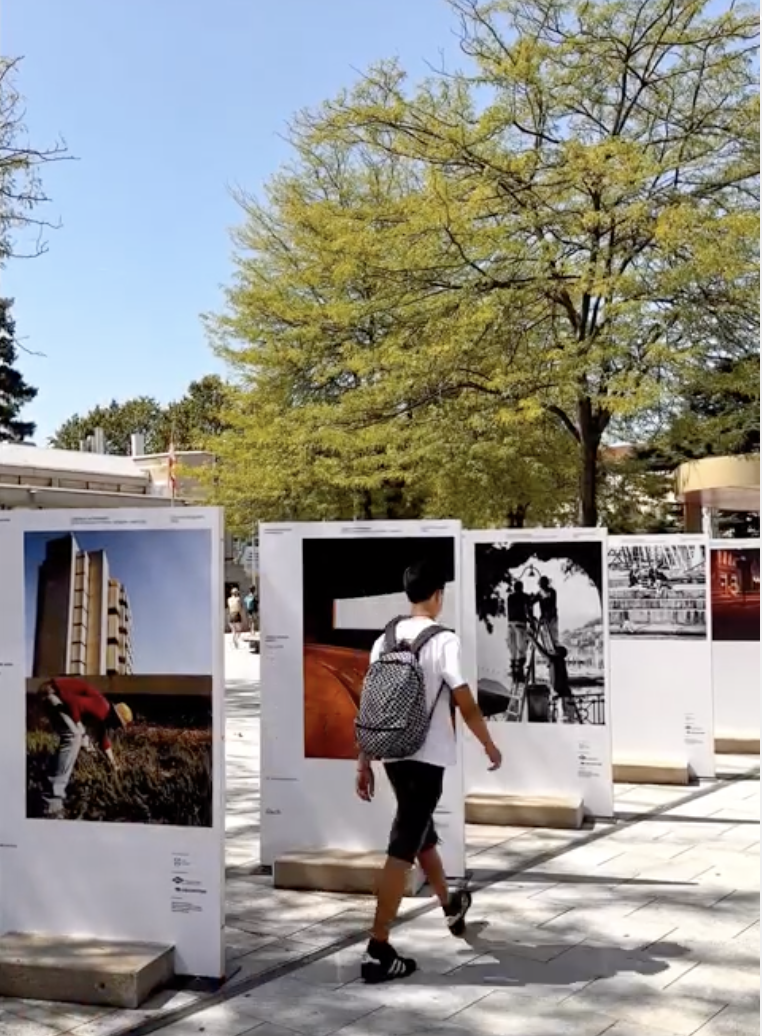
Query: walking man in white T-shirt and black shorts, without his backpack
{"type": "Point", "coordinates": [418, 781]}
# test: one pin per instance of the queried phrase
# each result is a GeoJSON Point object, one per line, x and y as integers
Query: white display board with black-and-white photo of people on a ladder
{"type": "Point", "coordinates": [551, 744]}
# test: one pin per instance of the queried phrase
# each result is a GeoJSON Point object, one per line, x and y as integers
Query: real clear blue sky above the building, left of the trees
{"type": "Point", "coordinates": [167, 105]}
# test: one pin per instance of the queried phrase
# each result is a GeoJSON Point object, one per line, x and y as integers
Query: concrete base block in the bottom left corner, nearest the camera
{"type": "Point", "coordinates": [82, 971]}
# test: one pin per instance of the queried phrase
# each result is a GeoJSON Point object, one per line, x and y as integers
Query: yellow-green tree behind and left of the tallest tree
{"type": "Point", "coordinates": [311, 334]}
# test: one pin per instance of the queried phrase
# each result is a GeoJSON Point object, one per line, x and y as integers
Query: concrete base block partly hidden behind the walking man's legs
{"type": "Point", "coordinates": [336, 871]}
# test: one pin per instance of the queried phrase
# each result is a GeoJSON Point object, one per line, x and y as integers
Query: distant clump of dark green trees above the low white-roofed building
{"type": "Point", "coordinates": [188, 423]}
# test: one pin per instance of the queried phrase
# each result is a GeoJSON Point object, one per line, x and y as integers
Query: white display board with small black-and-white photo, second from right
{"type": "Point", "coordinates": [661, 651]}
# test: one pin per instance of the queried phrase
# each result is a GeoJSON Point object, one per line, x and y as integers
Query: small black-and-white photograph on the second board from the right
{"type": "Point", "coordinates": [658, 592]}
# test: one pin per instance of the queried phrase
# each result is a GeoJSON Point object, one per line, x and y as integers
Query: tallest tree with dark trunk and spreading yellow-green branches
{"type": "Point", "coordinates": [582, 239]}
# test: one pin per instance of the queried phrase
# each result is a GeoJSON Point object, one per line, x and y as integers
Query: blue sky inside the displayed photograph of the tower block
{"type": "Point", "coordinates": [167, 574]}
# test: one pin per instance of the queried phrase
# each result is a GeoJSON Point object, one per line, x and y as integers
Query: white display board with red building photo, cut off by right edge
{"type": "Point", "coordinates": [736, 638]}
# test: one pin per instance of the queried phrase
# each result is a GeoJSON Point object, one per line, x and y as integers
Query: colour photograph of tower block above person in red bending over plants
{"type": "Point", "coordinates": [120, 648]}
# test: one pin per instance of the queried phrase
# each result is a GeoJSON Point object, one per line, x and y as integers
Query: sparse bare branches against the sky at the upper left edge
{"type": "Point", "coordinates": [22, 194]}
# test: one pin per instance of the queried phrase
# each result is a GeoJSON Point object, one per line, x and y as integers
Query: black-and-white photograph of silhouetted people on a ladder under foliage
{"type": "Point", "coordinates": [541, 631]}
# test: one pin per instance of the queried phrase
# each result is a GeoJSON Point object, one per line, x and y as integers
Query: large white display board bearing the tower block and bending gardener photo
{"type": "Point", "coordinates": [114, 619]}
